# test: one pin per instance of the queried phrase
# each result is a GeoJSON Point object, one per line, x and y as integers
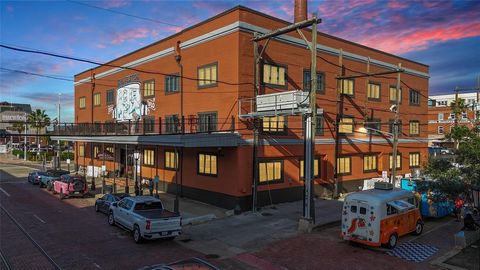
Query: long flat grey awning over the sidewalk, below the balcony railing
{"type": "Point", "coordinates": [187, 140]}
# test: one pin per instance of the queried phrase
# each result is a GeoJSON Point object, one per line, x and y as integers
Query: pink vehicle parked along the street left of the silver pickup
{"type": "Point", "coordinates": [70, 185]}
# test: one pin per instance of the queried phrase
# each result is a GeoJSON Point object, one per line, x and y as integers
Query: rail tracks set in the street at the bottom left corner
{"type": "Point", "coordinates": [48, 264]}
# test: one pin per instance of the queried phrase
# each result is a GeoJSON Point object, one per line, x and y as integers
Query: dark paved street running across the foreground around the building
{"type": "Point", "coordinates": [39, 231]}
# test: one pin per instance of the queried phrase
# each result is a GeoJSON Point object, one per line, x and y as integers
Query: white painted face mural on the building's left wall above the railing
{"type": "Point", "coordinates": [128, 102]}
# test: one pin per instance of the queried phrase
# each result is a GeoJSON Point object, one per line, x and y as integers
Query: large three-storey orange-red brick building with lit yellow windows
{"type": "Point", "coordinates": [212, 146]}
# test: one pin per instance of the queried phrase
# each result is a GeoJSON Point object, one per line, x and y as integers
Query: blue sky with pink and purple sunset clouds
{"type": "Point", "coordinates": [442, 34]}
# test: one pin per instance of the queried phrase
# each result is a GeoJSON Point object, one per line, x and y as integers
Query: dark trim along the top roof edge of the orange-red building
{"type": "Point", "coordinates": [240, 7]}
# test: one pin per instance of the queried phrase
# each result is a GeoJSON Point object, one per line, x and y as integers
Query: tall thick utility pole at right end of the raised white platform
{"type": "Point", "coordinates": [310, 128]}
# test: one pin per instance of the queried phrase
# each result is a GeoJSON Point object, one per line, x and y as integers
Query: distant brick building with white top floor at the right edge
{"type": "Point", "coordinates": [441, 119]}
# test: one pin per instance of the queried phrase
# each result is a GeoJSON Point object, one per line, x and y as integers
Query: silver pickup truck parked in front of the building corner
{"type": "Point", "coordinates": [145, 217]}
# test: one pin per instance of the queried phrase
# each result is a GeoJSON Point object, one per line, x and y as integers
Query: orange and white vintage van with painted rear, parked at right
{"type": "Point", "coordinates": [379, 216]}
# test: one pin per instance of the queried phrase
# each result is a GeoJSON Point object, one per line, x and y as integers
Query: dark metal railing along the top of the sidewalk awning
{"type": "Point", "coordinates": [150, 126]}
